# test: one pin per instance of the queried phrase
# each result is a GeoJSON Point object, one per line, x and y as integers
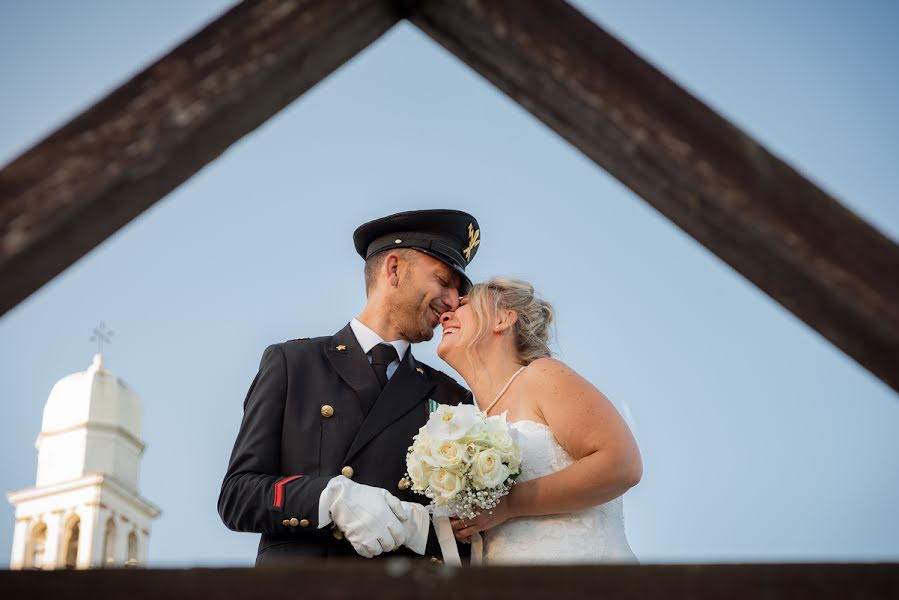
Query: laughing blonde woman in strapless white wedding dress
{"type": "Point", "coordinates": [578, 455]}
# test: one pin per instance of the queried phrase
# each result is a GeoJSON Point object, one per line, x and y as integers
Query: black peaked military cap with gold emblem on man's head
{"type": "Point", "coordinates": [450, 236]}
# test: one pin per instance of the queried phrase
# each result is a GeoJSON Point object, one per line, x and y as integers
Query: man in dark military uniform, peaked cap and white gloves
{"type": "Point", "coordinates": [319, 462]}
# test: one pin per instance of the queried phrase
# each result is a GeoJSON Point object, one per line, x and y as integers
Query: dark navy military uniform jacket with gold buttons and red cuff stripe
{"type": "Point", "coordinates": [304, 423]}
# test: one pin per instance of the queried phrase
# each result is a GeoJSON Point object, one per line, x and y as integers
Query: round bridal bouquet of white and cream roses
{"type": "Point", "coordinates": [463, 460]}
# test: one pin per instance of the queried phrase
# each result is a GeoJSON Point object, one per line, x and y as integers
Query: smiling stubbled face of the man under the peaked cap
{"type": "Point", "coordinates": [426, 289]}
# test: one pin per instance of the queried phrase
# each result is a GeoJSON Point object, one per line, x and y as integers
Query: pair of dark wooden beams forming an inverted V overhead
{"type": "Point", "coordinates": [780, 231]}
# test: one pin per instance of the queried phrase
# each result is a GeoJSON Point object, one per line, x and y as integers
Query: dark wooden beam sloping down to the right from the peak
{"type": "Point", "coordinates": [776, 228]}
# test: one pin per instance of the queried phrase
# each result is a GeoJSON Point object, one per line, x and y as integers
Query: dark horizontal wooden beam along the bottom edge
{"type": "Point", "coordinates": [400, 579]}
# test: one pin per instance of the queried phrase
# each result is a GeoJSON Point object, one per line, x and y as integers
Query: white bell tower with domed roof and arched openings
{"type": "Point", "coordinates": [85, 510]}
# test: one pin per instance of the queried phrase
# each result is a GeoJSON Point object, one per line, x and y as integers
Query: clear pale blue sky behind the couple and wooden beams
{"type": "Point", "coordinates": [761, 441]}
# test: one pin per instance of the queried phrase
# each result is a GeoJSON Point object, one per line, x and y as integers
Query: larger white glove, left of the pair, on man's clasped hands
{"type": "Point", "coordinates": [367, 516]}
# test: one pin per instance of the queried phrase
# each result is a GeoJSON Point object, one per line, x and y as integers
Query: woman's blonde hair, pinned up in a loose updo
{"type": "Point", "coordinates": [531, 329]}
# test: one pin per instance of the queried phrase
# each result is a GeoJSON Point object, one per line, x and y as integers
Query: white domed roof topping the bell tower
{"type": "Point", "coordinates": [93, 397]}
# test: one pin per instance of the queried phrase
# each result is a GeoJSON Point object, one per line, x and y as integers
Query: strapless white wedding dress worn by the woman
{"type": "Point", "coordinates": [589, 536]}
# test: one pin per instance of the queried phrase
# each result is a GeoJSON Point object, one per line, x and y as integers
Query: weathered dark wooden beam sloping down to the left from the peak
{"type": "Point", "coordinates": [85, 181]}
